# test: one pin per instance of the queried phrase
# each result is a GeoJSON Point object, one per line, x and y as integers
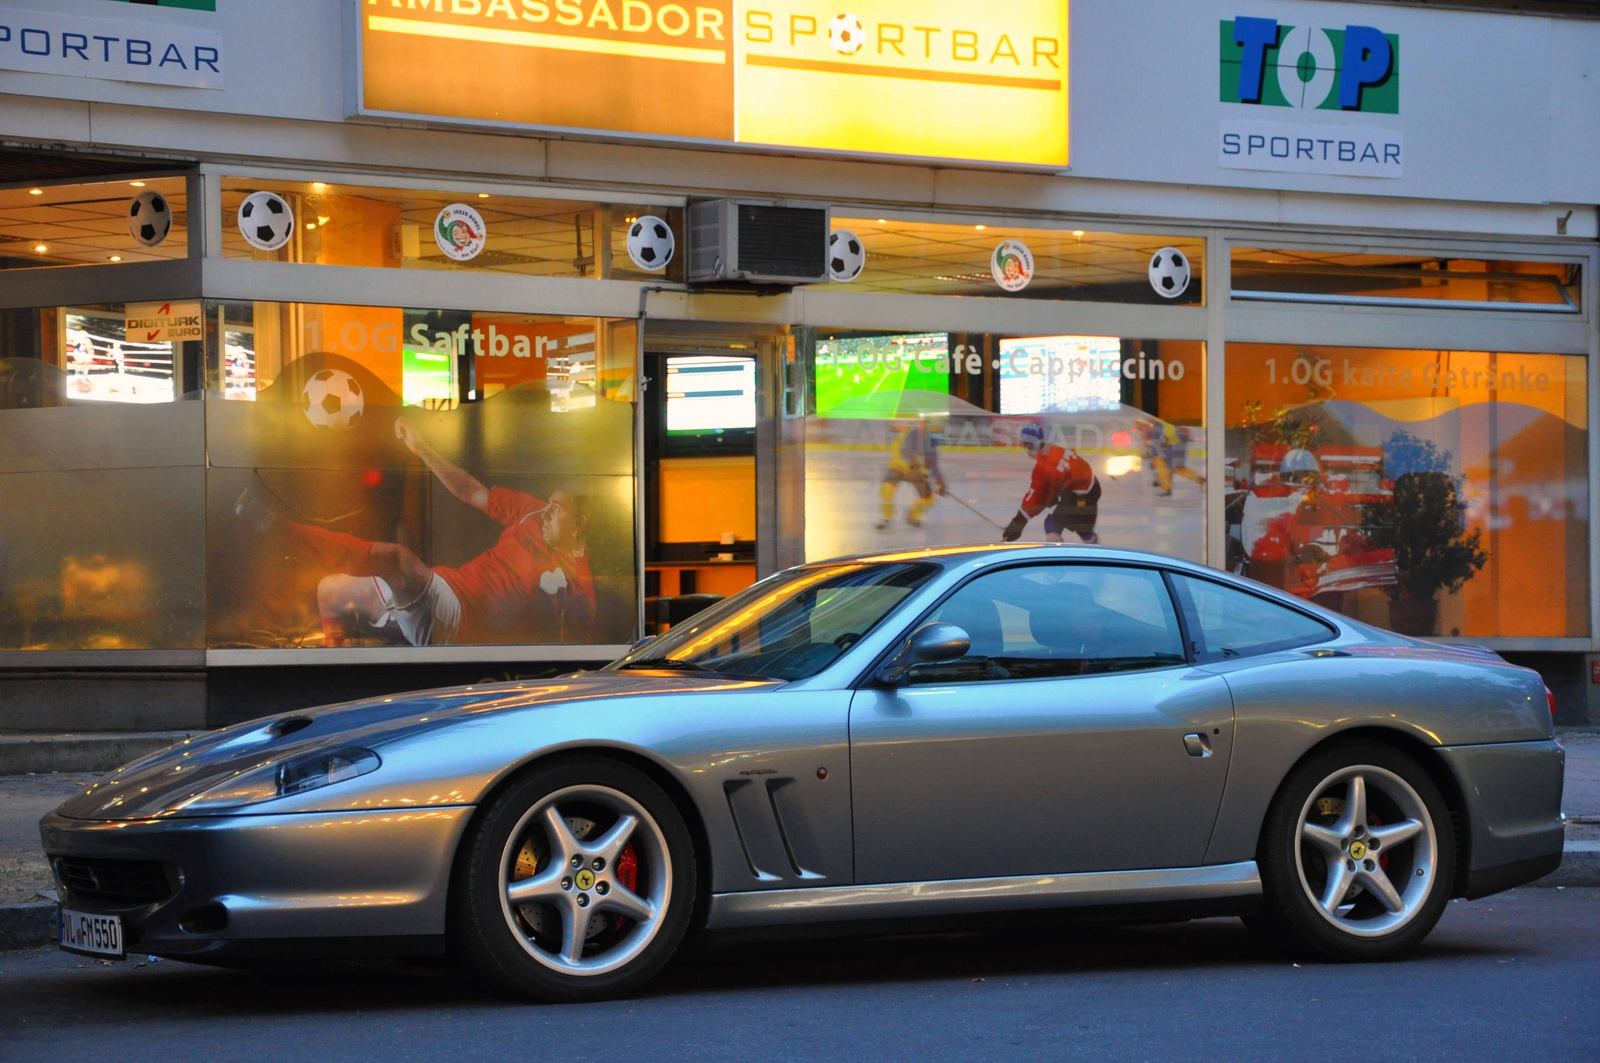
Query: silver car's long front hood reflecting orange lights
{"type": "Point", "coordinates": [161, 784]}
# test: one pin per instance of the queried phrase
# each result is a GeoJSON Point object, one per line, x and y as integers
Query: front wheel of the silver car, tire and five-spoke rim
{"type": "Point", "coordinates": [575, 884]}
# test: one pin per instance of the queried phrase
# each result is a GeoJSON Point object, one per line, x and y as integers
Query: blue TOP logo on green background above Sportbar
{"type": "Point", "coordinates": [1265, 63]}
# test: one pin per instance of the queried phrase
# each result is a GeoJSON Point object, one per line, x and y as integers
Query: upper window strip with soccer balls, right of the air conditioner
{"type": "Point", "coordinates": [945, 259]}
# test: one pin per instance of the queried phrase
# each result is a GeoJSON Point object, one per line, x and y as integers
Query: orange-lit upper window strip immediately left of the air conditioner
{"type": "Point", "coordinates": [346, 225]}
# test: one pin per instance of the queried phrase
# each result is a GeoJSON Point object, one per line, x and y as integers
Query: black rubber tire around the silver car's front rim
{"type": "Point", "coordinates": [500, 945]}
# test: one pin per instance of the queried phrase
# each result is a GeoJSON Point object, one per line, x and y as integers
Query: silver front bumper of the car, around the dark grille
{"type": "Point", "coordinates": [278, 878]}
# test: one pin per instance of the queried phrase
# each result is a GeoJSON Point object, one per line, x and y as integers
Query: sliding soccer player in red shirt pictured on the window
{"type": "Point", "coordinates": [532, 587]}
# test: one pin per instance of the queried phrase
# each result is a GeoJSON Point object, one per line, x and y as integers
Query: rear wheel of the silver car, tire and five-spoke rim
{"type": "Point", "coordinates": [1358, 856]}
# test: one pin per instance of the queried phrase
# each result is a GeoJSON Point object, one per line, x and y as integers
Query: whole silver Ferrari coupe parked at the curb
{"type": "Point", "coordinates": [858, 744]}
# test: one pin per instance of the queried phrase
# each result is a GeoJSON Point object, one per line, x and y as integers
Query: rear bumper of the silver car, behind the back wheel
{"type": "Point", "coordinates": [1513, 795]}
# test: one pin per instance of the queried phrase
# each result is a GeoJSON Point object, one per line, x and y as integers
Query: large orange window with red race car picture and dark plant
{"type": "Point", "coordinates": [1431, 492]}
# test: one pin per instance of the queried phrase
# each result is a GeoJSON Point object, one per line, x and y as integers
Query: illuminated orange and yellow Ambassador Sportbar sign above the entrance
{"type": "Point", "coordinates": [935, 79]}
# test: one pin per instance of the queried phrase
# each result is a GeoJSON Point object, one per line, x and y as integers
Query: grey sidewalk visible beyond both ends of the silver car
{"type": "Point", "coordinates": [28, 915]}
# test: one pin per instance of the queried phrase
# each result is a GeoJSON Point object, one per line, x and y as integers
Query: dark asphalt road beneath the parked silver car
{"type": "Point", "coordinates": [1510, 977]}
